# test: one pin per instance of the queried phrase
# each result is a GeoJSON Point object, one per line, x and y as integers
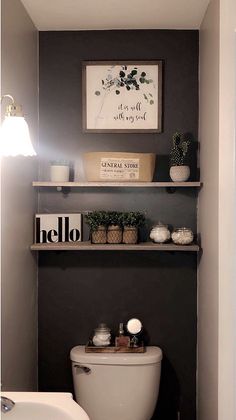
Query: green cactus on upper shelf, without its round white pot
{"type": "Point", "coordinates": [179, 151]}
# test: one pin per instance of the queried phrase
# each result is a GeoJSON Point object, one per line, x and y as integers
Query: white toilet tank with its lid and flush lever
{"type": "Point", "coordinates": [115, 386]}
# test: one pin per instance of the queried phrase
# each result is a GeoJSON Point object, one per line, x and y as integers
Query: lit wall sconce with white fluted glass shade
{"type": "Point", "coordinates": [14, 134]}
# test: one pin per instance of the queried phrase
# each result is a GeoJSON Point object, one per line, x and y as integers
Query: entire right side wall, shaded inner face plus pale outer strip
{"type": "Point", "coordinates": [217, 290]}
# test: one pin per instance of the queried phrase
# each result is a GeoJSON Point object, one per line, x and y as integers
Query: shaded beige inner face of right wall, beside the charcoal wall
{"type": "Point", "coordinates": [208, 216]}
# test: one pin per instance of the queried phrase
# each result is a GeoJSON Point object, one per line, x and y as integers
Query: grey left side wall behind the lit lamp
{"type": "Point", "coordinates": [19, 77]}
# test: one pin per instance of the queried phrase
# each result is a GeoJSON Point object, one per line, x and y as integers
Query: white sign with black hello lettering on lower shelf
{"type": "Point", "coordinates": [52, 228]}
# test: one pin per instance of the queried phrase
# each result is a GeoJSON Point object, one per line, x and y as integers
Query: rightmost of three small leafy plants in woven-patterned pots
{"type": "Point", "coordinates": [131, 221]}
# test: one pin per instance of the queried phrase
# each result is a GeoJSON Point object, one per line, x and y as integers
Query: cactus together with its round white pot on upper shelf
{"type": "Point", "coordinates": [179, 169]}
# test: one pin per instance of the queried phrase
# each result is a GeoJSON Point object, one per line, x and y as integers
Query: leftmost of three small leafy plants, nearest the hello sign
{"type": "Point", "coordinates": [97, 221]}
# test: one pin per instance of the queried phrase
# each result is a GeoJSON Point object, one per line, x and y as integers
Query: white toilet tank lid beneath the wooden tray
{"type": "Point", "coordinates": [152, 355]}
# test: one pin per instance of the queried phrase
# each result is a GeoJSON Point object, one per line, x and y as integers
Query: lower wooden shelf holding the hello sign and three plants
{"type": "Point", "coordinates": [87, 246]}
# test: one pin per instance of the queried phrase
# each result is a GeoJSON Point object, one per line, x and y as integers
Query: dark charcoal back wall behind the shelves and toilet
{"type": "Point", "coordinates": [78, 290]}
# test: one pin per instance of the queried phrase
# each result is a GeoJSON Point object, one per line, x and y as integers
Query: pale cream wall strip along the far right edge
{"type": "Point", "coordinates": [227, 213]}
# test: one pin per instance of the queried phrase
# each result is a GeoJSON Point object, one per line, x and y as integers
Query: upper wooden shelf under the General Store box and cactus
{"type": "Point", "coordinates": [168, 184]}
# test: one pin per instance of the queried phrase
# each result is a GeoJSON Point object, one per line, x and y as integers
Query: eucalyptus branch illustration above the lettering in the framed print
{"type": "Point", "coordinates": [130, 80]}
